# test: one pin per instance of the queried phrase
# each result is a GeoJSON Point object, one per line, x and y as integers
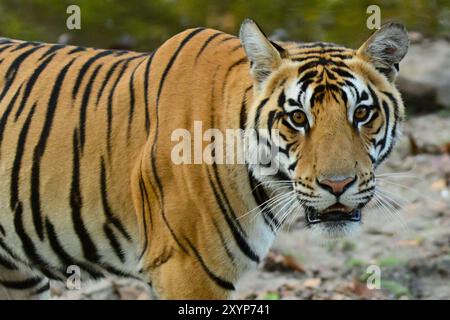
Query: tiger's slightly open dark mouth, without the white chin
{"type": "Point", "coordinates": [335, 214]}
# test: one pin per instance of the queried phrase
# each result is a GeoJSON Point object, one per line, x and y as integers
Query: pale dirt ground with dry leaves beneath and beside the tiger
{"type": "Point", "coordinates": [408, 239]}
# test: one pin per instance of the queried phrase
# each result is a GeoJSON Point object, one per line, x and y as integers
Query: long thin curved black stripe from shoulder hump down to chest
{"type": "Point", "coordinates": [153, 151]}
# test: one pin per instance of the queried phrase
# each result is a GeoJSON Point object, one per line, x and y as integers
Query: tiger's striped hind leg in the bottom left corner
{"type": "Point", "coordinates": [23, 285]}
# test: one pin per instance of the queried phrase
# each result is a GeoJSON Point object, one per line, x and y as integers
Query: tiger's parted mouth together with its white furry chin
{"type": "Point", "coordinates": [334, 224]}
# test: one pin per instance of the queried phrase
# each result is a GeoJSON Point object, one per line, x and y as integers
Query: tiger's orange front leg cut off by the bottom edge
{"type": "Point", "coordinates": [187, 277]}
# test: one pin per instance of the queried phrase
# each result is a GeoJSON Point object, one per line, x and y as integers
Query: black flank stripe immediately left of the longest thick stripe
{"type": "Point", "coordinates": [15, 172]}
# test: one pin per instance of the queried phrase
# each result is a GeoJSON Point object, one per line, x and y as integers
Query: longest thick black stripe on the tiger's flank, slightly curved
{"type": "Point", "coordinates": [40, 149]}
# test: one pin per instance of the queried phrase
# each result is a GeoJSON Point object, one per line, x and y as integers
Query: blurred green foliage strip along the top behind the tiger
{"type": "Point", "coordinates": [145, 24]}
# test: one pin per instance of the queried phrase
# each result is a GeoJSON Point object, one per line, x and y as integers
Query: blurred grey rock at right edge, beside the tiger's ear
{"type": "Point", "coordinates": [424, 77]}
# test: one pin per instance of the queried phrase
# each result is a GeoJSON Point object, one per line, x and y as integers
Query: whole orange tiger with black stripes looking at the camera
{"type": "Point", "coordinates": [86, 154]}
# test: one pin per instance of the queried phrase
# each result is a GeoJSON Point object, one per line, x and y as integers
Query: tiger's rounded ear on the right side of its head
{"type": "Point", "coordinates": [386, 48]}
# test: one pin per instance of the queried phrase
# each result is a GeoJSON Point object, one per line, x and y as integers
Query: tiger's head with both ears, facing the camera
{"type": "Point", "coordinates": [326, 116]}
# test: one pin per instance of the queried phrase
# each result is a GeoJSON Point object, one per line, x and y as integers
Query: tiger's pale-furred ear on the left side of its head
{"type": "Point", "coordinates": [265, 56]}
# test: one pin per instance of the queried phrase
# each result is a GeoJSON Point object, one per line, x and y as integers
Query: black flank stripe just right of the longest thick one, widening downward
{"type": "Point", "coordinates": [76, 204]}
